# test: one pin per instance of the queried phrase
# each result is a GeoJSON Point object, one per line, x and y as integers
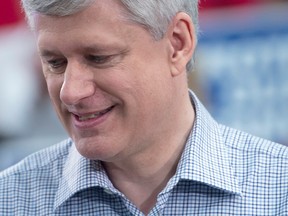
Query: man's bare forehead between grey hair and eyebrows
{"type": "Point", "coordinates": [101, 25]}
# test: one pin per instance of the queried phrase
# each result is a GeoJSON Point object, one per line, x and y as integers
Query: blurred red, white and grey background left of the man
{"type": "Point", "coordinates": [27, 120]}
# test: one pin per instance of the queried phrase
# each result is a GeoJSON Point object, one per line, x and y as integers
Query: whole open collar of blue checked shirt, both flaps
{"type": "Point", "coordinates": [205, 159]}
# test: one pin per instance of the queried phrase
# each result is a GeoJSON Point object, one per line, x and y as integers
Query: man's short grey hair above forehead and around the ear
{"type": "Point", "coordinates": [155, 15]}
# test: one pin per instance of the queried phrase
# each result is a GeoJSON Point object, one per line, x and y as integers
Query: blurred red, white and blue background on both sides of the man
{"type": "Point", "coordinates": [241, 75]}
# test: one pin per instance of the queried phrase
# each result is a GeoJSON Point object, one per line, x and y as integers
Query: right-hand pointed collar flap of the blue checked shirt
{"type": "Point", "coordinates": [206, 157]}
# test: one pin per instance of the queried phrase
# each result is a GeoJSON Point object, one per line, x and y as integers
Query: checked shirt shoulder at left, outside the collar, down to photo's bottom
{"type": "Point", "coordinates": [29, 187]}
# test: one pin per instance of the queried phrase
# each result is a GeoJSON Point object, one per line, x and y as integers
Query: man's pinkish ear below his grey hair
{"type": "Point", "coordinates": [182, 41]}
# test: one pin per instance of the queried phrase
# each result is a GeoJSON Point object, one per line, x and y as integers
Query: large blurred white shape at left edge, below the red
{"type": "Point", "coordinates": [18, 85]}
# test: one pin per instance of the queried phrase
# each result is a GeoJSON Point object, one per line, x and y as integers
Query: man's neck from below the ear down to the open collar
{"type": "Point", "coordinates": [144, 175]}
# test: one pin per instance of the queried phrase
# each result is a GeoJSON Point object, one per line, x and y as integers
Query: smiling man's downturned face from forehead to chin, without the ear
{"type": "Point", "coordinates": [109, 81]}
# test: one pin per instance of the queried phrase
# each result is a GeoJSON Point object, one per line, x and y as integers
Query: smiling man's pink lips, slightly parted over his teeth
{"type": "Point", "coordinates": [91, 122]}
